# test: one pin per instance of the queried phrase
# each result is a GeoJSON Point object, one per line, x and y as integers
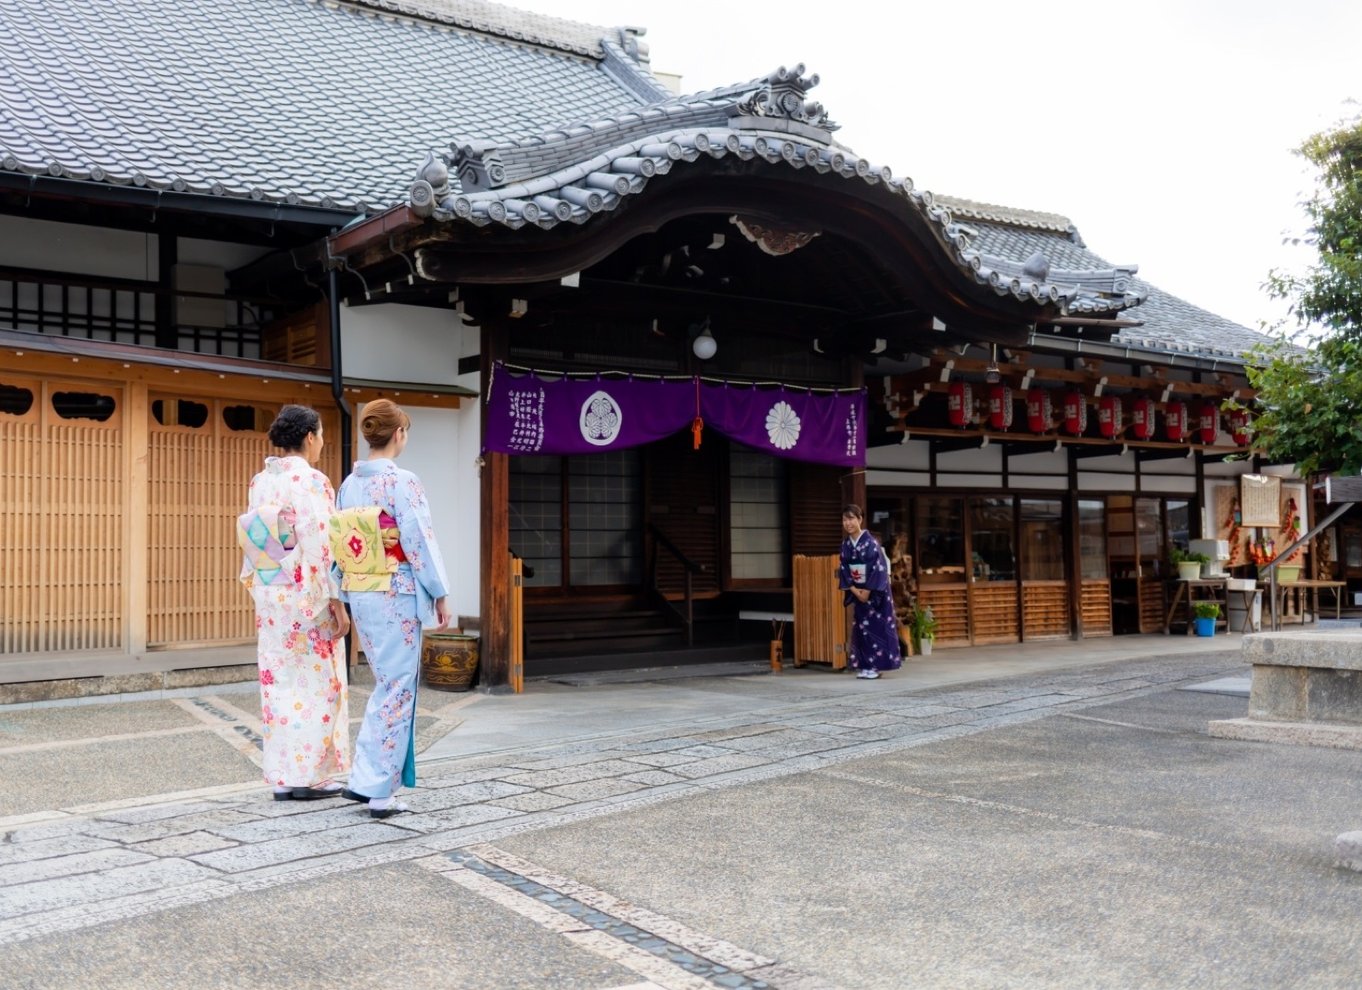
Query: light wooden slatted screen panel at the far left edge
{"type": "Point", "coordinates": [62, 502]}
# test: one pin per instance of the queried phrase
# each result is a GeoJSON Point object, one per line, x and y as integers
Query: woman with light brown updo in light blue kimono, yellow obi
{"type": "Point", "coordinates": [394, 579]}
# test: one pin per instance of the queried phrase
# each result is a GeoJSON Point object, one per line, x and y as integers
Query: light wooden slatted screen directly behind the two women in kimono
{"type": "Point", "coordinates": [198, 477]}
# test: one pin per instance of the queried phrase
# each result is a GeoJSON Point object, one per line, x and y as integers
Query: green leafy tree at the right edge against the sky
{"type": "Point", "coordinates": [1310, 378]}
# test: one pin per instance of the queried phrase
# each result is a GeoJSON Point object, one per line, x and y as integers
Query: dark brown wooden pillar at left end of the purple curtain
{"type": "Point", "coordinates": [495, 620]}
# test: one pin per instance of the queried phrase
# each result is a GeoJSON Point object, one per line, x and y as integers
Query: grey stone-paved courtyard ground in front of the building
{"type": "Point", "coordinates": [1017, 818]}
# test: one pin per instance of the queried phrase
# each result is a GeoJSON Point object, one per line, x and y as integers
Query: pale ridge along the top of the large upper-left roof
{"type": "Point", "coordinates": [503, 21]}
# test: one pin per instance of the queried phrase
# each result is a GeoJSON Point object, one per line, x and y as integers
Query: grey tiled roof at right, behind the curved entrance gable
{"type": "Point", "coordinates": [1171, 323]}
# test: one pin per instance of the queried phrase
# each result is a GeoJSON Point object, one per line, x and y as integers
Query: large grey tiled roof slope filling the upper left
{"type": "Point", "coordinates": [307, 103]}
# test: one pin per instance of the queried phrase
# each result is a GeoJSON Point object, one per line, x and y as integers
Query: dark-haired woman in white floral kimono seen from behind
{"type": "Point", "coordinates": [300, 619]}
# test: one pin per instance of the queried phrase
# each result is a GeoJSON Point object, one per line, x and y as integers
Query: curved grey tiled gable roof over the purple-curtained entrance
{"type": "Point", "coordinates": [573, 174]}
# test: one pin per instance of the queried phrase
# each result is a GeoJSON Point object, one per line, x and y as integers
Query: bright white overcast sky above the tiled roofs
{"type": "Point", "coordinates": [1162, 130]}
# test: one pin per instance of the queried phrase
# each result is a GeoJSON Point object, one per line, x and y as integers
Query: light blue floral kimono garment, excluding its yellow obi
{"type": "Point", "coordinates": [390, 627]}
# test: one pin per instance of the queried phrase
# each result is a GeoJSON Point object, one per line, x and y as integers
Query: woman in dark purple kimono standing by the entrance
{"type": "Point", "coordinates": [864, 578]}
